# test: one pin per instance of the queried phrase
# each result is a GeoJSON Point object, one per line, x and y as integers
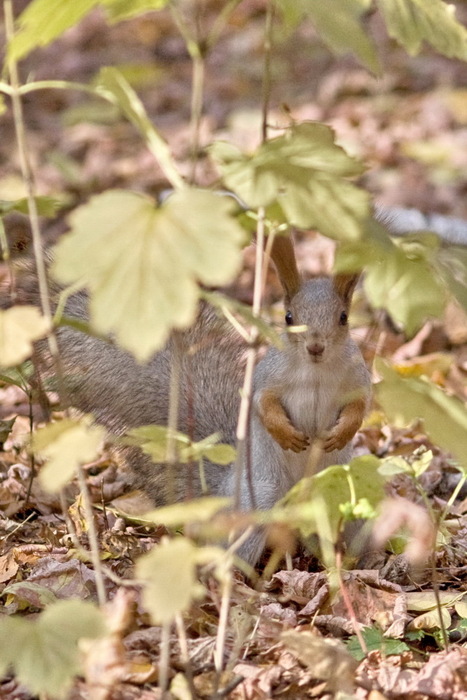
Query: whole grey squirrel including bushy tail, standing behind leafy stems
{"type": "Point", "coordinates": [316, 387]}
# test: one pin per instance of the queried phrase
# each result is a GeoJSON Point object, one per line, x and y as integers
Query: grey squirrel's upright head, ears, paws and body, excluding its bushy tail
{"type": "Point", "coordinates": [317, 387]}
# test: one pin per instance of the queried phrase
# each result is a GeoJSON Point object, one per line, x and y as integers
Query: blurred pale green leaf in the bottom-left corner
{"type": "Point", "coordinates": [44, 653]}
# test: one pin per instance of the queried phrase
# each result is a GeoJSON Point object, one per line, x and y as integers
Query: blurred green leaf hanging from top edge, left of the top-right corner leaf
{"type": "Point", "coordinates": [338, 25]}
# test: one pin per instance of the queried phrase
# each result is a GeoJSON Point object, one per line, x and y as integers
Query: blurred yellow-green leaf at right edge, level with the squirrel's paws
{"type": "Point", "coordinates": [407, 399]}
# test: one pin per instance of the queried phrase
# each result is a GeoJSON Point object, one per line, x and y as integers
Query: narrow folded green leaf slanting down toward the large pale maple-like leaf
{"type": "Point", "coordinates": [112, 85]}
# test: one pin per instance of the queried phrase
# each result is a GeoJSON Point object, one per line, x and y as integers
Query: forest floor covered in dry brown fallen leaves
{"type": "Point", "coordinates": [410, 128]}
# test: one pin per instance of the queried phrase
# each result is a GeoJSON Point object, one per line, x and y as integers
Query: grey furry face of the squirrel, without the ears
{"type": "Point", "coordinates": [317, 319]}
